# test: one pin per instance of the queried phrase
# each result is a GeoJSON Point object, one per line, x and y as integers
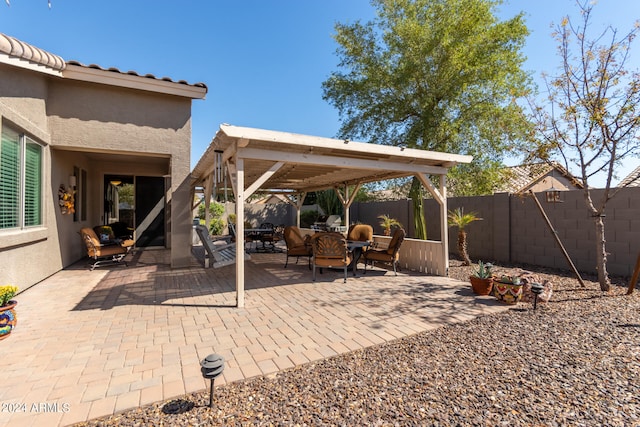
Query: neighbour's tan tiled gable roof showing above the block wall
{"type": "Point", "coordinates": [518, 179]}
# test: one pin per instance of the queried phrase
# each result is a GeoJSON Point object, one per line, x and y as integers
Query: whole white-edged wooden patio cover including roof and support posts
{"type": "Point", "coordinates": [252, 159]}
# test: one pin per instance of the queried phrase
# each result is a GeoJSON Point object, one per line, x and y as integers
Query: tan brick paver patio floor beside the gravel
{"type": "Point", "coordinates": [92, 343]}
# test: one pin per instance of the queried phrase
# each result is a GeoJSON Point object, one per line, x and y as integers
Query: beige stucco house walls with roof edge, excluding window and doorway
{"type": "Point", "coordinates": [103, 122]}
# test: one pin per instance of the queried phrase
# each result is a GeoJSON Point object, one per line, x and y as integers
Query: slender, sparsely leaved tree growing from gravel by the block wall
{"type": "Point", "coordinates": [590, 116]}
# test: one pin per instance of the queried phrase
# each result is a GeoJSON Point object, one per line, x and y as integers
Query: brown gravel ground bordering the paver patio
{"type": "Point", "coordinates": [575, 361]}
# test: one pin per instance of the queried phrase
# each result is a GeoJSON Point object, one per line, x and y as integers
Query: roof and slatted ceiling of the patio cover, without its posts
{"type": "Point", "coordinates": [285, 162]}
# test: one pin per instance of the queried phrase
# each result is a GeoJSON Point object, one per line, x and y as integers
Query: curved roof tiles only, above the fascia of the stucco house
{"type": "Point", "coordinates": [21, 50]}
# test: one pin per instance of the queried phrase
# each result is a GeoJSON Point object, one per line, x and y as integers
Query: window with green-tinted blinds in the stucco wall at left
{"type": "Point", "coordinates": [20, 180]}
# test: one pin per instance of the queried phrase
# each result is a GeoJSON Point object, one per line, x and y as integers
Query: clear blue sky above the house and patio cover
{"type": "Point", "coordinates": [263, 60]}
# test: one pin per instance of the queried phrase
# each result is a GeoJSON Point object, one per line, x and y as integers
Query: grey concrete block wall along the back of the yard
{"type": "Point", "coordinates": [514, 230]}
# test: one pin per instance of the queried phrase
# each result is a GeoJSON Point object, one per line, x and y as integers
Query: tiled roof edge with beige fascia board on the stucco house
{"type": "Point", "coordinates": [25, 55]}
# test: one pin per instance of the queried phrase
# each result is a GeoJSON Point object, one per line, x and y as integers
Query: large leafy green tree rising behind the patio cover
{"type": "Point", "coordinates": [439, 75]}
